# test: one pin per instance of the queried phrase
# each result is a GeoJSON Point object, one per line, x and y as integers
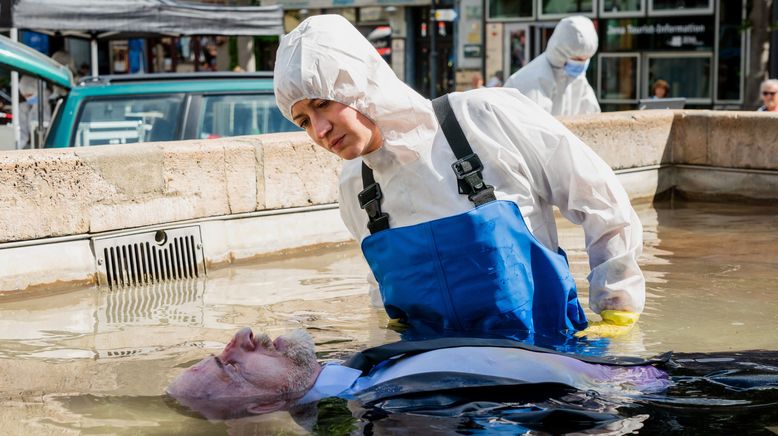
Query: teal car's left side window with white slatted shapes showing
{"type": "Point", "coordinates": [123, 120]}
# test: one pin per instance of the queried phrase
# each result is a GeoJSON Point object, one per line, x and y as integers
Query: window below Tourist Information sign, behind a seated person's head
{"type": "Point", "coordinates": [689, 75]}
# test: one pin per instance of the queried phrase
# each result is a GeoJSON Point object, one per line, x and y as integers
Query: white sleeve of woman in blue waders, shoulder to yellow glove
{"type": "Point", "coordinates": [567, 173]}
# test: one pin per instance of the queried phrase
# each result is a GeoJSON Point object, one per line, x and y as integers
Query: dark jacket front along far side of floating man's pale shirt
{"type": "Point", "coordinates": [366, 360]}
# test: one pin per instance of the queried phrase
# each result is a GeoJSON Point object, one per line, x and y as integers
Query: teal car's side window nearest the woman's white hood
{"type": "Point", "coordinates": [236, 115]}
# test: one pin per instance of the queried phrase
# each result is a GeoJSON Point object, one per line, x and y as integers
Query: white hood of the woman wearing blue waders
{"type": "Point", "coordinates": [326, 57]}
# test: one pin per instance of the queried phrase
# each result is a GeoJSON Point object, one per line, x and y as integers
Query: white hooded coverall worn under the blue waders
{"type": "Point", "coordinates": [529, 157]}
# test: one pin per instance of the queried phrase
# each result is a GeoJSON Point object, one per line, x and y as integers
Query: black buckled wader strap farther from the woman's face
{"type": "Point", "coordinates": [468, 167]}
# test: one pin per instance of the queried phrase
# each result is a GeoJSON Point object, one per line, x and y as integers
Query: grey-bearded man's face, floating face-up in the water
{"type": "Point", "coordinates": [252, 374]}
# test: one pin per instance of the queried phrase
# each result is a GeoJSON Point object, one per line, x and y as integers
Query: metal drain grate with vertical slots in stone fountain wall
{"type": "Point", "coordinates": [149, 257]}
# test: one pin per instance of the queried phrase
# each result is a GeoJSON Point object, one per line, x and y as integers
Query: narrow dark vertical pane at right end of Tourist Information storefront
{"type": "Point", "coordinates": [731, 42]}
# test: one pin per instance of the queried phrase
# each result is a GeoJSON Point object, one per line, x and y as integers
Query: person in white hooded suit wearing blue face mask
{"type": "Point", "coordinates": [556, 80]}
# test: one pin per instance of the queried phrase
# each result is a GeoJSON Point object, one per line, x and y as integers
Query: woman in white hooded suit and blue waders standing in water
{"type": "Point", "coordinates": [452, 244]}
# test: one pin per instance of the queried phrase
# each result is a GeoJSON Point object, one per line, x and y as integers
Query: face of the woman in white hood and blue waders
{"type": "Point", "coordinates": [338, 128]}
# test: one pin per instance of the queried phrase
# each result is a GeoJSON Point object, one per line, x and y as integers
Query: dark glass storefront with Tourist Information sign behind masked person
{"type": "Point", "coordinates": [698, 46]}
